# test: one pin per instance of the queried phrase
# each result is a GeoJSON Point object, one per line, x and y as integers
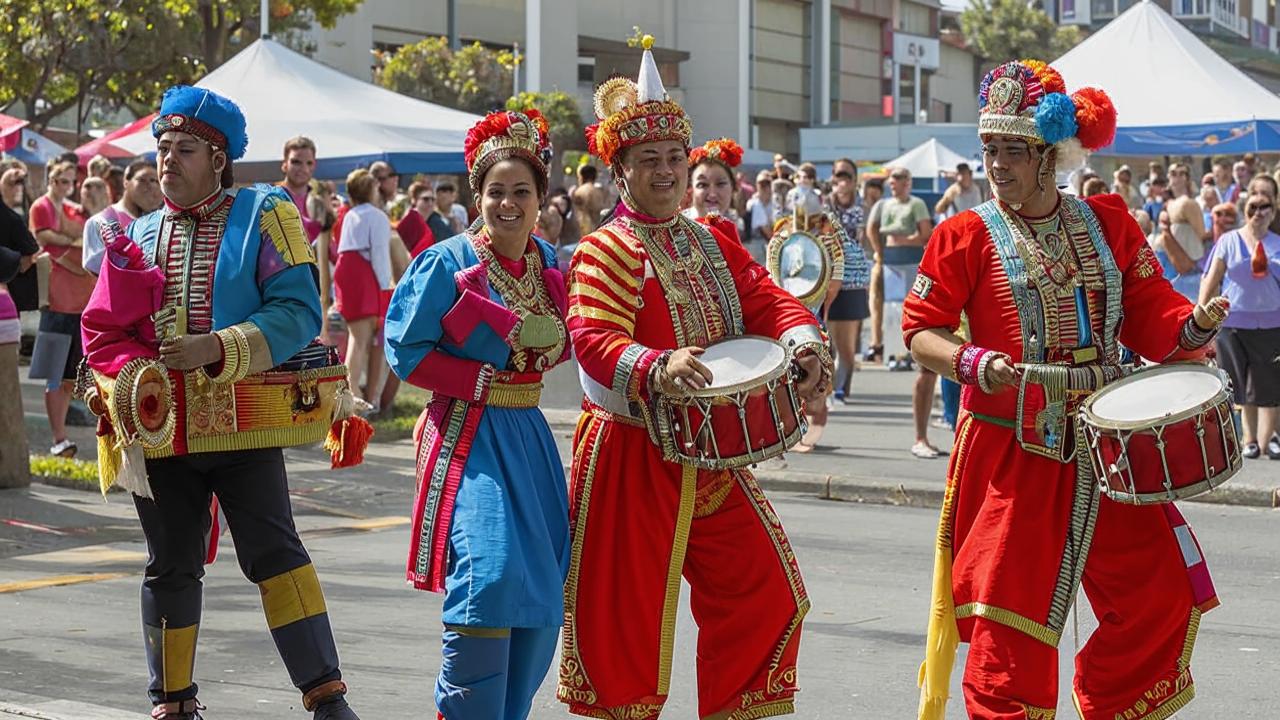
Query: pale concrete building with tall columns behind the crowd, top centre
{"type": "Point", "coordinates": [753, 70]}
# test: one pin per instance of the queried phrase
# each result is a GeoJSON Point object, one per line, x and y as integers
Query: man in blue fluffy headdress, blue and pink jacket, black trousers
{"type": "Point", "coordinates": [200, 335]}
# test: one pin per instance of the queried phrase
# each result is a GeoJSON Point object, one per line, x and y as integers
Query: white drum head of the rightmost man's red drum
{"type": "Point", "coordinates": [1156, 395]}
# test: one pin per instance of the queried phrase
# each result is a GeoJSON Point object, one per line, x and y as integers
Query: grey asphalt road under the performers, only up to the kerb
{"type": "Point", "coordinates": [75, 651]}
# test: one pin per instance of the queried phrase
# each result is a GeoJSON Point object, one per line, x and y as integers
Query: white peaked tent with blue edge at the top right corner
{"type": "Point", "coordinates": [1174, 95]}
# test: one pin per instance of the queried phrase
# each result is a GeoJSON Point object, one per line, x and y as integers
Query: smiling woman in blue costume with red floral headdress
{"type": "Point", "coordinates": [478, 320]}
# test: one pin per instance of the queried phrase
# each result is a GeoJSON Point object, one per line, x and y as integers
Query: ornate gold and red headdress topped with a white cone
{"type": "Point", "coordinates": [632, 113]}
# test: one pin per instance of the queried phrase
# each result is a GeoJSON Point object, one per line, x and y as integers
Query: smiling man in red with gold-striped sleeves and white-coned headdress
{"type": "Point", "coordinates": [648, 291]}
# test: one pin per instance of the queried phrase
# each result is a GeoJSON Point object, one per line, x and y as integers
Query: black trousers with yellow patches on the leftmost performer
{"type": "Point", "coordinates": [253, 491]}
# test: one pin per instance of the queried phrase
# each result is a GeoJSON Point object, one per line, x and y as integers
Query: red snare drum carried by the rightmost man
{"type": "Point", "coordinates": [1163, 435]}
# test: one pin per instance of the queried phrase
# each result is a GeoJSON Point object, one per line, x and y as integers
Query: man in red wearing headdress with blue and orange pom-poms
{"type": "Point", "coordinates": [1045, 280]}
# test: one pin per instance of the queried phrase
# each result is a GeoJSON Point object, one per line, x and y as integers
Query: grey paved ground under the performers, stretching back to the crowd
{"type": "Point", "coordinates": [70, 568]}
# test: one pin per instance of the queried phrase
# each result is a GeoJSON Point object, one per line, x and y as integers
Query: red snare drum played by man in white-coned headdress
{"type": "Point", "coordinates": [751, 412]}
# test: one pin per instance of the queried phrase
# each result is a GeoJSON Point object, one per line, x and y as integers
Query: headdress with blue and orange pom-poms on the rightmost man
{"type": "Point", "coordinates": [1028, 99]}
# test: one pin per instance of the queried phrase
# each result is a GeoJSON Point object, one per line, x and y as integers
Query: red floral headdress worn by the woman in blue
{"type": "Point", "coordinates": [505, 135]}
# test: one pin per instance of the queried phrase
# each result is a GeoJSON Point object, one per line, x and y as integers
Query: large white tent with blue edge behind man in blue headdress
{"type": "Point", "coordinates": [354, 124]}
